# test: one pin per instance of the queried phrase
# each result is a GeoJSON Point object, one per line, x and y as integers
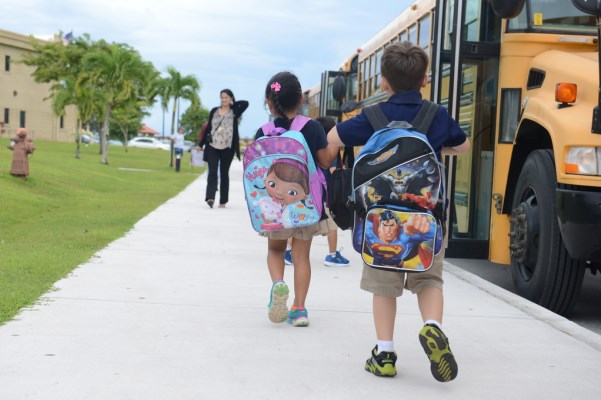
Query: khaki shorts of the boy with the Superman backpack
{"type": "Point", "coordinates": [391, 283]}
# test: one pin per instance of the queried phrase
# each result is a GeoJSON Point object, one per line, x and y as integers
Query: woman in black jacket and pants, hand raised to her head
{"type": "Point", "coordinates": [220, 143]}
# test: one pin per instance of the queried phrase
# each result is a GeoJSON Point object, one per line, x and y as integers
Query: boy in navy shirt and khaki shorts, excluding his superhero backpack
{"type": "Point", "coordinates": [404, 70]}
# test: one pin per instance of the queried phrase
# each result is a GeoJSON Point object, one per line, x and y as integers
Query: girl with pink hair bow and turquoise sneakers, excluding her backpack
{"type": "Point", "coordinates": [283, 96]}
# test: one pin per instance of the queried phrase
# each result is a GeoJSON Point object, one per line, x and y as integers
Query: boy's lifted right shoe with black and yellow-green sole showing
{"type": "Point", "coordinates": [436, 345]}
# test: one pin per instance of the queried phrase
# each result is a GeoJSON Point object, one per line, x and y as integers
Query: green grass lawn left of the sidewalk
{"type": "Point", "coordinates": [69, 208]}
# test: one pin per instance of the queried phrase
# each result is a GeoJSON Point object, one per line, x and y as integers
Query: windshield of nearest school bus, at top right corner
{"type": "Point", "coordinates": [556, 16]}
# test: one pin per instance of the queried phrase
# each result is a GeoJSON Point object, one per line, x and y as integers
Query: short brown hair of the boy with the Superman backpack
{"type": "Point", "coordinates": [404, 66]}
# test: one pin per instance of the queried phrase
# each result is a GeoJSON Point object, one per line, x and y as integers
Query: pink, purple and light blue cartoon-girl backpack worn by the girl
{"type": "Point", "coordinates": [283, 187]}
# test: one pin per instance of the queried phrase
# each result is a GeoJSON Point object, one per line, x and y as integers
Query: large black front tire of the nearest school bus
{"type": "Point", "coordinates": [541, 269]}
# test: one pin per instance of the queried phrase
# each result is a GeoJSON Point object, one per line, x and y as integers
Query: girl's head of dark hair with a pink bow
{"type": "Point", "coordinates": [285, 92]}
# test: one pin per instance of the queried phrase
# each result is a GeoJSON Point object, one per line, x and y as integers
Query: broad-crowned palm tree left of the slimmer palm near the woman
{"type": "Point", "coordinates": [120, 73]}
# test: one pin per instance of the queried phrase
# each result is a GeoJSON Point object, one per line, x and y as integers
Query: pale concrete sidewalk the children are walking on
{"type": "Point", "coordinates": [176, 309]}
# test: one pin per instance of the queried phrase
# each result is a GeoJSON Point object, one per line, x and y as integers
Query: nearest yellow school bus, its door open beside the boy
{"type": "Point", "coordinates": [522, 79]}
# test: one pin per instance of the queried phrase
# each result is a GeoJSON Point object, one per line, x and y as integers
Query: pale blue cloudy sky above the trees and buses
{"type": "Point", "coordinates": [235, 44]}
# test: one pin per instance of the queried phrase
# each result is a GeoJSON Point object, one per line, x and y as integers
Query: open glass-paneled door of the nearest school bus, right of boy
{"type": "Point", "coordinates": [466, 83]}
